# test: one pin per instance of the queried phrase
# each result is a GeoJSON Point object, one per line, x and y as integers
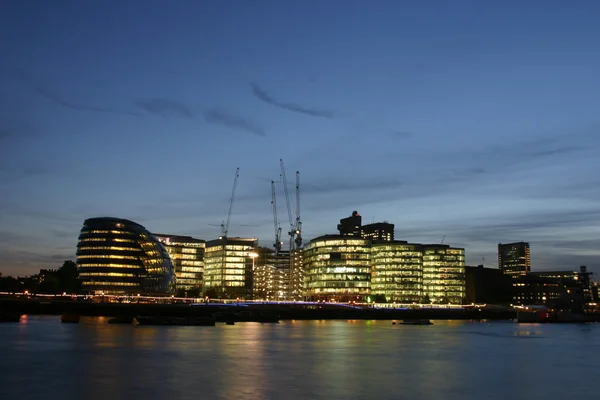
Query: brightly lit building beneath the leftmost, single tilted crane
{"type": "Point", "coordinates": [228, 264]}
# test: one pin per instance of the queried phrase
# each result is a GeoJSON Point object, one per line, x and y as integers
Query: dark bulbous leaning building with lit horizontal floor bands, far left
{"type": "Point", "coordinates": [117, 256]}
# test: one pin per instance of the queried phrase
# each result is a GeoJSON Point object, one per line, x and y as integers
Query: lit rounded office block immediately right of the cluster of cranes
{"type": "Point", "coordinates": [337, 268]}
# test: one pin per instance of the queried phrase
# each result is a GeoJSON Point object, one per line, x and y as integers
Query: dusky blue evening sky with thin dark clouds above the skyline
{"type": "Point", "coordinates": [477, 121]}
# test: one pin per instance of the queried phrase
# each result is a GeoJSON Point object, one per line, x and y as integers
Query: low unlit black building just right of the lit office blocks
{"type": "Point", "coordinates": [487, 286]}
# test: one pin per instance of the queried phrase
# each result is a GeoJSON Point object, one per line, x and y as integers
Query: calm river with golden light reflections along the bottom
{"type": "Point", "coordinates": [42, 358]}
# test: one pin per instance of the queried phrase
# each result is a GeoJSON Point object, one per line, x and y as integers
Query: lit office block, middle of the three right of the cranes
{"type": "Point", "coordinates": [397, 271]}
